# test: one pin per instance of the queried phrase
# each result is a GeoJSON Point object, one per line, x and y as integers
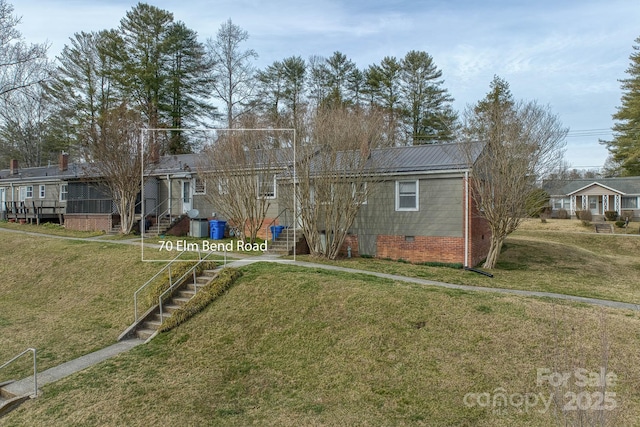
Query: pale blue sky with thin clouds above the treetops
{"type": "Point", "coordinates": [568, 55]}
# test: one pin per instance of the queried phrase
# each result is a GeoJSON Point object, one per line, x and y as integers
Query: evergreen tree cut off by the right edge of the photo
{"type": "Point", "coordinates": [625, 146]}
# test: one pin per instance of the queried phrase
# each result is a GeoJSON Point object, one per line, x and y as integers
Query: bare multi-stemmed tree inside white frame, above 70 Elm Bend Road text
{"type": "Point", "coordinates": [239, 170]}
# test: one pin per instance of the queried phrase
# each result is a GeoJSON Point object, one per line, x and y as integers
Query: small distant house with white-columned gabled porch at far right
{"type": "Point", "coordinates": [597, 195]}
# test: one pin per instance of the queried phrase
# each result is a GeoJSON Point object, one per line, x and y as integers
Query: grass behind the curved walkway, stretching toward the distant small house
{"type": "Point", "coordinates": [547, 257]}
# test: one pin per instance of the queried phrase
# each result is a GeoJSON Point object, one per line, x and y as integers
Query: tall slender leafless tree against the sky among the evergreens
{"type": "Point", "coordinates": [232, 69]}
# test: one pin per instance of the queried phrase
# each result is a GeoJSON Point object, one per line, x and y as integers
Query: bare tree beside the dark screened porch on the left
{"type": "Point", "coordinates": [118, 160]}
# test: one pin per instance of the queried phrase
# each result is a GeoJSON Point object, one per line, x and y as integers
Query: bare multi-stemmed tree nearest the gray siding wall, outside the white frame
{"type": "Point", "coordinates": [336, 174]}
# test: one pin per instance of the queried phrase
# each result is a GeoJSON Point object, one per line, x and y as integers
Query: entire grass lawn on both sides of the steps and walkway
{"type": "Point", "coordinates": [290, 346]}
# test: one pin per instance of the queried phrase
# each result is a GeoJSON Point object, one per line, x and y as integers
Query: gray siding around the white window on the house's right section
{"type": "Point", "coordinates": [440, 210]}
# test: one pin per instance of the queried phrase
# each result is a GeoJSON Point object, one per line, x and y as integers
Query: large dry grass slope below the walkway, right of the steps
{"type": "Point", "coordinates": [289, 346]}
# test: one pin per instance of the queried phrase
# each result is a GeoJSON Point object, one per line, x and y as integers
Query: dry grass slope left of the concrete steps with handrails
{"type": "Point", "coordinates": [65, 297]}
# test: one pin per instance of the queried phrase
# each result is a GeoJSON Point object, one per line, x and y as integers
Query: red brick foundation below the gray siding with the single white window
{"type": "Point", "coordinates": [421, 249]}
